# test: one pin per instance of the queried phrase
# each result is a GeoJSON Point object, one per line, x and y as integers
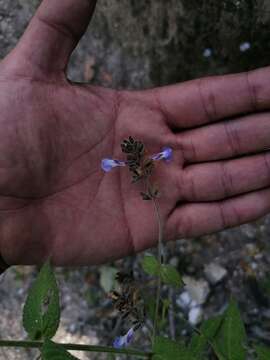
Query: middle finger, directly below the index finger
{"type": "Point", "coordinates": [226, 139]}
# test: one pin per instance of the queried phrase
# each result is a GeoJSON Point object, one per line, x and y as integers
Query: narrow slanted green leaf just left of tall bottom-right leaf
{"type": "Point", "coordinates": [208, 330]}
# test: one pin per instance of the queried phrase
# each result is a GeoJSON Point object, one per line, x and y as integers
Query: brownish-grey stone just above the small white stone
{"type": "Point", "coordinates": [197, 289]}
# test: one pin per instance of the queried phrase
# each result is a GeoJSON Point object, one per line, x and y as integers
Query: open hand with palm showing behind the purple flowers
{"type": "Point", "coordinates": [54, 198]}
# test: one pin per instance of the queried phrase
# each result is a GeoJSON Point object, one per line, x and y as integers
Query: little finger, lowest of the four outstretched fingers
{"type": "Point", "coordinates": [204, 218]}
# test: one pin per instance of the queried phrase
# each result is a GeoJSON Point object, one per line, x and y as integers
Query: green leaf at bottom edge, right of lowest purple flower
{"type": "Point", "coordinates": [166, 349]}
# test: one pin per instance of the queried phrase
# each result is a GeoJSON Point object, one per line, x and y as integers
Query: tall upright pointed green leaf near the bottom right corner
{"type": "Point", "coordinates": [231, 338]}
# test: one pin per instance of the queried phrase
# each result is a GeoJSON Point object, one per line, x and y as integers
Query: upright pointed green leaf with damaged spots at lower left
{"type": "Point", "coordinates": [41, 313]}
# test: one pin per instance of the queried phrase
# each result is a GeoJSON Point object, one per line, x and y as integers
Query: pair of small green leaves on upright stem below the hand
{"type": "Point", "coordinates": [169, 275]}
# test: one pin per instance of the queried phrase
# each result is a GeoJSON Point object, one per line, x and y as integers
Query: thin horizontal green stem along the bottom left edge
{"type": "Point", "coordinates": [78, 347]}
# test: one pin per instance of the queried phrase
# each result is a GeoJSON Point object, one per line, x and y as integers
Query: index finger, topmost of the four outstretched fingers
{"type": "Point", "coordinates": [206, 100]}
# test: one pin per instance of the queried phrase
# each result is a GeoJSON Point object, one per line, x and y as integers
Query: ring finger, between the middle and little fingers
{"type": "Point", "coordinates": [223, 179]}
